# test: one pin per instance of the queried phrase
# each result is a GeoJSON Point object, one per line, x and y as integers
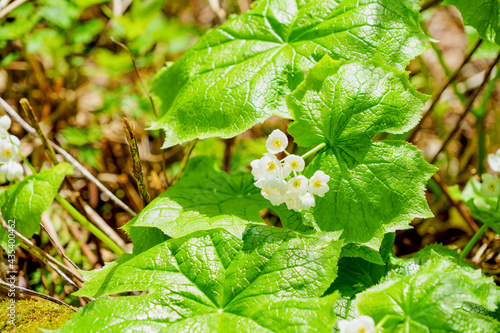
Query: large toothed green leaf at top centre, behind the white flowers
{"type": "Point", "coordinates": [238, 74]}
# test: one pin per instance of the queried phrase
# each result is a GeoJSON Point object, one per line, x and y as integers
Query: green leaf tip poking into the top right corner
{"type": "Point", "coordinates": [483, 15]}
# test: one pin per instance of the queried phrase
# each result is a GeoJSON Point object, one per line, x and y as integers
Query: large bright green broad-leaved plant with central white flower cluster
{"type": "Point", "coordinates": [203, 258]}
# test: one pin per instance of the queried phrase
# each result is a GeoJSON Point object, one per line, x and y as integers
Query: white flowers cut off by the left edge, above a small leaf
{"type": "Point", "coordinates": [9, 150]}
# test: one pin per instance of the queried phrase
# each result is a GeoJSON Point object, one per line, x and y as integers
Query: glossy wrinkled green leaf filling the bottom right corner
{"type": "Point", "coordinates": [429, 295]}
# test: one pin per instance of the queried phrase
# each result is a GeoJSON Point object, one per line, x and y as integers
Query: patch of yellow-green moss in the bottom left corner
{"type": "Point", "coordinates": [31, 315]}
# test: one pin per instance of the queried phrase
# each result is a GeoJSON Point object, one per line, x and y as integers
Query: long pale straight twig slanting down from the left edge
{"type": "Point", "coordinates": [67, 156]}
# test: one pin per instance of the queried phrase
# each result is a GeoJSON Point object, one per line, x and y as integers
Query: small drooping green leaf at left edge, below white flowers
{"type": "Point", "coordinates": [25, 201]}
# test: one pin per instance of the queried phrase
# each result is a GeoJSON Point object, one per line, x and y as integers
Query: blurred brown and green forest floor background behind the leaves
{"type": "Point", "coordinates": [59, 54]}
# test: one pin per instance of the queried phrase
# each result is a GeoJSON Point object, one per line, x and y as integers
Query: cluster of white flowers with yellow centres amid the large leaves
{"type": "Point", "coordinates": [273, 177]}
